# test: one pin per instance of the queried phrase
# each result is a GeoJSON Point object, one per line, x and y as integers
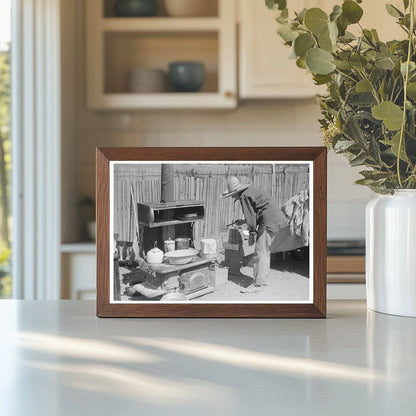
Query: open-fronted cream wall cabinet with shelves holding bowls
{"type": "Point", "coordinates": [116, 46]}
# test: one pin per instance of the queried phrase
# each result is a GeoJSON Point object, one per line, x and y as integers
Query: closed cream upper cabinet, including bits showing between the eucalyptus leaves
{"type": "Point", "coordinates": [265, 70]}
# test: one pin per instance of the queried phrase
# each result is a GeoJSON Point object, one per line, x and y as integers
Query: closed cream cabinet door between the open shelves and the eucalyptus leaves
{"type": "Point", "coordinates": [265, 68]}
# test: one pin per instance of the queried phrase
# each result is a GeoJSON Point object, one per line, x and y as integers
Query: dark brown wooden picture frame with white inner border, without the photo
{"type": "Point", "coordinates": [316, 156]}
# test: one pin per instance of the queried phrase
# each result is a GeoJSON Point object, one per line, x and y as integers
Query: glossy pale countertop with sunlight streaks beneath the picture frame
{"type": "Point", "coordinates": [56, 358]}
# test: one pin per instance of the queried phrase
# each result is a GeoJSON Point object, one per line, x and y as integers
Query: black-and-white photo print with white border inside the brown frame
{"type": "Point", "coordinates": [215, 232]}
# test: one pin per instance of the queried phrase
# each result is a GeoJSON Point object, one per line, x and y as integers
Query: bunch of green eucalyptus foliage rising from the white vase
{"type": "Point", "coordinates": [377, 122]}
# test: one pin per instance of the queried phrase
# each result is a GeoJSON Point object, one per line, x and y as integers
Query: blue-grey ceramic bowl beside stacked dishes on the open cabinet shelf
{"type": "Point", "coordinates": [186, 76]}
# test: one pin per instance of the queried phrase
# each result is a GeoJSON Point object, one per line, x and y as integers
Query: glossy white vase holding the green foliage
{"type": "Point", "coordinates": [391, 253]}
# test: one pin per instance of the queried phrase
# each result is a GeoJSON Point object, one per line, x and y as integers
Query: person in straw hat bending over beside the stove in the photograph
{"type": "Point", "coordinates": [264, 219]}
